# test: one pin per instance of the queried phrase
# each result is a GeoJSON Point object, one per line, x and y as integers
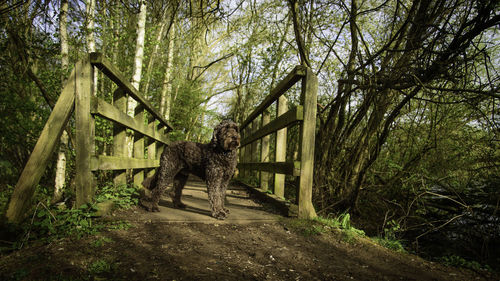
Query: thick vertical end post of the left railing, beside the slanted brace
{"type": "Point", "coordinates": [84, 143]}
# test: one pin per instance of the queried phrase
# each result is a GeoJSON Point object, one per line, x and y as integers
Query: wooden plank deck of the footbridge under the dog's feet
{"type": "Point", "coordinates": [242, 208]}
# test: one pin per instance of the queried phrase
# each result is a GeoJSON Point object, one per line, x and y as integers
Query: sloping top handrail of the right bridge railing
{"type": "Point", "coordinates": [295, 75]}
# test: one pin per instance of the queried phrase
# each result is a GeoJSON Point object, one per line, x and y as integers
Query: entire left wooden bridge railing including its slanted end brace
{"type": "Point", "coordinates": [148, 125]}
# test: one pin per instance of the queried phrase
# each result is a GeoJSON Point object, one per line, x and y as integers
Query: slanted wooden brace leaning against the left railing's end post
{"type": "Point", "coordinates": [22, 195]}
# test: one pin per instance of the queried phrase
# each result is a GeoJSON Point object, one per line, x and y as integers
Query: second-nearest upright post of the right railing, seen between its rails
{"type": "Point", "coordinates": [279, 179]}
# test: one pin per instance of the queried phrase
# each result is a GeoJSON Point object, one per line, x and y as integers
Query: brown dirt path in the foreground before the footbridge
{"type": "Point", "coordinates": [284, 249]}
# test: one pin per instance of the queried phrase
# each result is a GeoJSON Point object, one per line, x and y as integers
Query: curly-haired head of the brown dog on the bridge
{"type": "Point", "coordinates": [226, 136]}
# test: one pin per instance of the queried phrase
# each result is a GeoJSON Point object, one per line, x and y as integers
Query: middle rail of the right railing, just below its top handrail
{"type": "Point", "coordinates": [283, 121]}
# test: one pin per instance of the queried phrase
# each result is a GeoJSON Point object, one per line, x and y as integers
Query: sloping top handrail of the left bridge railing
{"type": "Point", "coordinates": [99, 61]}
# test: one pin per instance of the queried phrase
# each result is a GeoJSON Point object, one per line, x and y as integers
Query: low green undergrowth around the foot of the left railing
{"type": "Point", "coordinates": [51, 222]}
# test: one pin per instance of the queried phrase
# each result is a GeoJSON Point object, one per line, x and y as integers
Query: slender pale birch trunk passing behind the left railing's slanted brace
{"type": "Point", "coordinates": [60, 178]}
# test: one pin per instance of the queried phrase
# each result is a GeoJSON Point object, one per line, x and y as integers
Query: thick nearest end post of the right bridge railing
{"type": "Point", "coordinates": [307, 137]}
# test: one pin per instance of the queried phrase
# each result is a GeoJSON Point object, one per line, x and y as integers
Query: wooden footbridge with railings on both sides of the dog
{"type": "Point", "coordinates": [150, 137]}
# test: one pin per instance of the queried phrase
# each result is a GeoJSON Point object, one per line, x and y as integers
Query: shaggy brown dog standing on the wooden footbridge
{"type": "Point", "coordinates": [213, 162]}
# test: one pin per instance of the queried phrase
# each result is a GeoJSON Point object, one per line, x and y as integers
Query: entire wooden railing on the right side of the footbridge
{"type": "Point", "coordinates": [304, 115]}
